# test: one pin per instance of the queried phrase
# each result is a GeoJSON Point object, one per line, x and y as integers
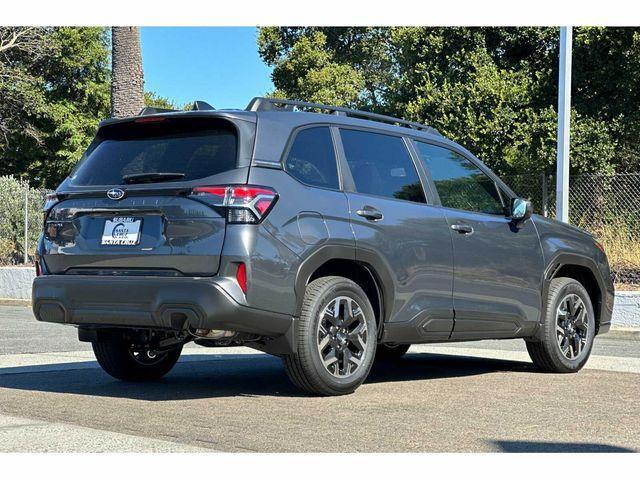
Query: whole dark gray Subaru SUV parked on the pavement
{"type": "Point", "coordinates": [329, 237]}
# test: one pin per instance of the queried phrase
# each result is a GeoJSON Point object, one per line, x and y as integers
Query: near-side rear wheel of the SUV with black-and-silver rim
{"type": "Point", "coordinates": [336, 338]}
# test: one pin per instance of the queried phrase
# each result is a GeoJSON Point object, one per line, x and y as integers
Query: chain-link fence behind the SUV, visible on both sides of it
{"type": "Point", "coordinates": [606, 205]}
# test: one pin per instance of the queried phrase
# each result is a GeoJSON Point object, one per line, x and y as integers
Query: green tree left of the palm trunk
{"type": "Point", "coordinates": [54, 89]}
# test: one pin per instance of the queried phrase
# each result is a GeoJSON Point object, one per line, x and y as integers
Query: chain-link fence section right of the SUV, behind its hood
{"type": "Point", "coordinates": [606, 205]}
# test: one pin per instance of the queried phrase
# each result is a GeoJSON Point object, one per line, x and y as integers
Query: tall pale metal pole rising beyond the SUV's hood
{"type": "Point", "coordinates": [564, 118]}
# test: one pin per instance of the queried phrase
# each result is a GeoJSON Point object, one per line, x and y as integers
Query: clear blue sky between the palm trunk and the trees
{"type": "Point", "coordinates": [219, 65]}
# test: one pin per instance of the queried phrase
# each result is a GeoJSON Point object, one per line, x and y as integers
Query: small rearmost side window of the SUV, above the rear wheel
{"type": "Point", "coordinates": [312, 159]}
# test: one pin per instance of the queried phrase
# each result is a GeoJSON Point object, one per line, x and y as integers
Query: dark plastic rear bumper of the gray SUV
{"type": "Point", "coordinates": [149, 302]}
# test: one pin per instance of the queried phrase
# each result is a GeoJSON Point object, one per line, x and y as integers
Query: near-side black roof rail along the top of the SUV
{"type": "Point", "coordinates": [261, 104]}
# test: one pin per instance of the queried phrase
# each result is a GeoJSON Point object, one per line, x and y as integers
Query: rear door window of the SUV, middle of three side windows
{"type": "Point", "coordinates": [381, 165]}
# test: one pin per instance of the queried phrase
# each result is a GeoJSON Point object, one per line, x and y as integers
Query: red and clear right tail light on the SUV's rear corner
{"type": "Point", "coordinates": [244, 203]}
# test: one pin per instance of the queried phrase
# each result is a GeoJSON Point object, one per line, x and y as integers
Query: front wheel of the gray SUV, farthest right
{"type": "Point", "coordinates": [568, 330]}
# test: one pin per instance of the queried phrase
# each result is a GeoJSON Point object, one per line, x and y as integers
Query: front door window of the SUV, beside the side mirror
{"type": "Point", "coordinates": [459, 182]}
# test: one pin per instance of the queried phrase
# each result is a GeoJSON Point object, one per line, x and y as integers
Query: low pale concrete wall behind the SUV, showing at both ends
{"type": "Point", "coordinates": [15, 283]}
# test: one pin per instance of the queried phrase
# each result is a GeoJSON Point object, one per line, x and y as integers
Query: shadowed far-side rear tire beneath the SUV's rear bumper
{"type": "Point", "coordinates": [118, 359]}
